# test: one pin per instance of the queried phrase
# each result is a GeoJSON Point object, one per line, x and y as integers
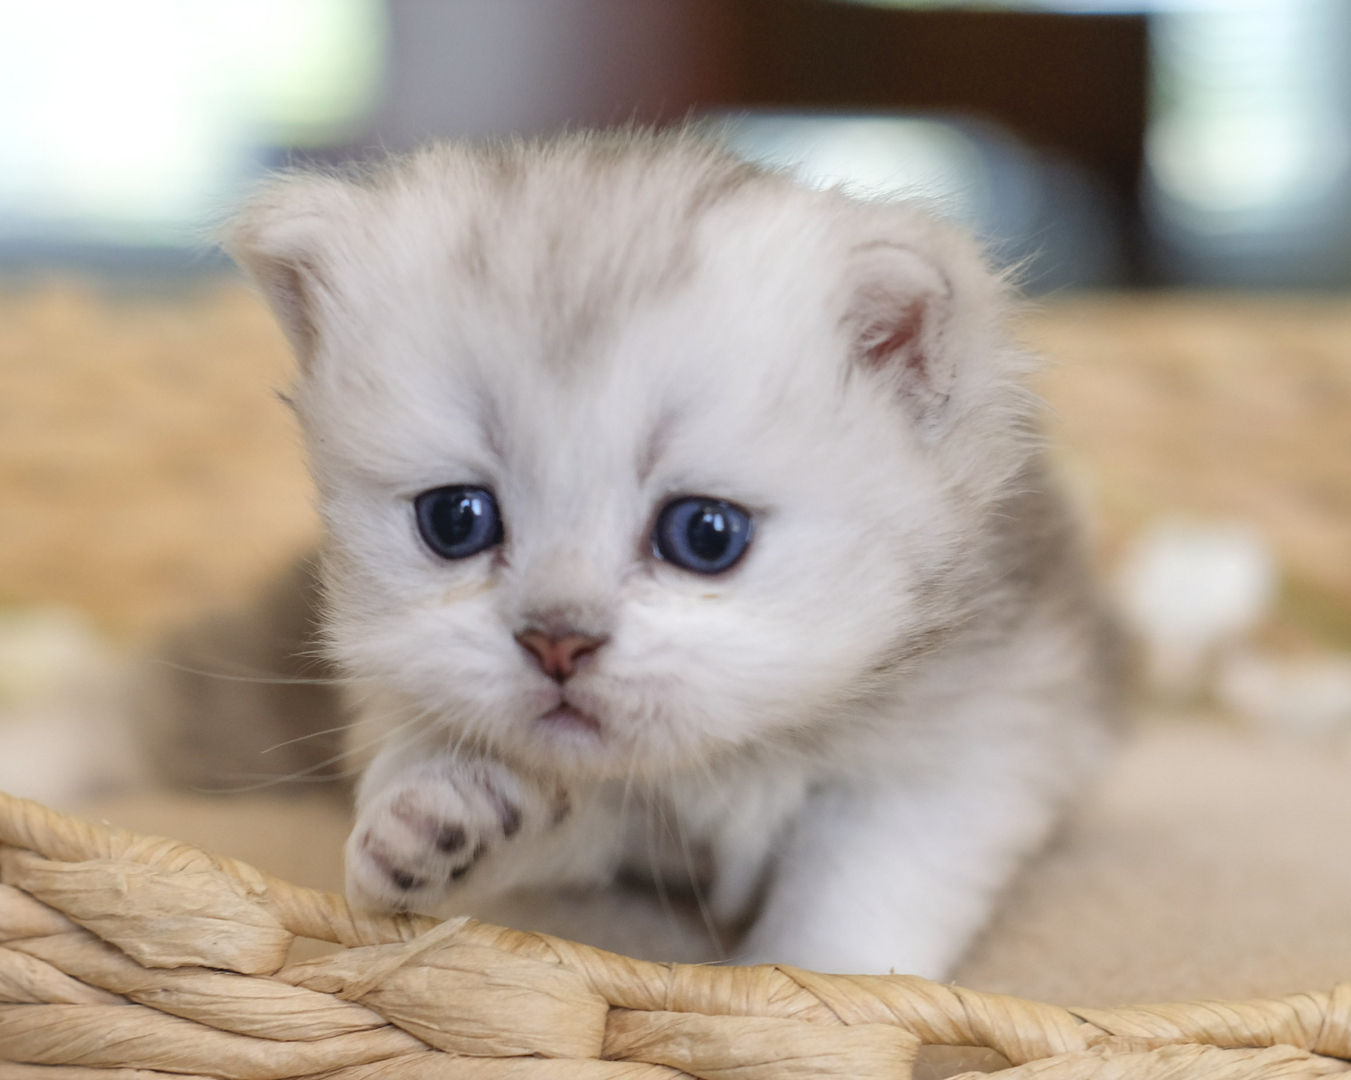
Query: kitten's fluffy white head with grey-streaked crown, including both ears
{"type": "Point", "coordinates": [633, 455]}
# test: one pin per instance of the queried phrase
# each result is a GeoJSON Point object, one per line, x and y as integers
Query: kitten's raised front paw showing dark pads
{"type": "Point", "coordinates": [415, 840]}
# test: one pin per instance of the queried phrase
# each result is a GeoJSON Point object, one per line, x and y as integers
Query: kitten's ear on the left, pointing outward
{"type": "Point", "coordinates": [286, 239]}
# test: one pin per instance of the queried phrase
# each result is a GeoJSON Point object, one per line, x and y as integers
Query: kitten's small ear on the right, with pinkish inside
{"type": "Point", "coordinates": [898, 320]}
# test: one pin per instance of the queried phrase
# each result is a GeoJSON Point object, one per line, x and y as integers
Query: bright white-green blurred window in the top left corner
{"type": "Point", "coordinates": [129, 121]}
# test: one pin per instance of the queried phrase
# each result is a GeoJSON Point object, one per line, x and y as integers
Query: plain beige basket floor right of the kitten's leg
{"type": "Point", "coordinates": [1211, 864]}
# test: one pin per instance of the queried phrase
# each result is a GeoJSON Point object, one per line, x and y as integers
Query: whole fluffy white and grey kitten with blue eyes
{"type": "Point", "coordinates": [661, 489]}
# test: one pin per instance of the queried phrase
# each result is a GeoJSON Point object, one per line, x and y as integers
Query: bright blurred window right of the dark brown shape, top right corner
{"type": "Point", "coordinates": [1249, 147]}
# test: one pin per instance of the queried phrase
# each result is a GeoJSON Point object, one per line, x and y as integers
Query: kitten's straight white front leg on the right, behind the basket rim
{"type": "Point", "coordinates": [895, 878]}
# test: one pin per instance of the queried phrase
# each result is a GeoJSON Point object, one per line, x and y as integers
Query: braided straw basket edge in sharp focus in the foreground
{"type": "Point", "coordinates": [132, 958]}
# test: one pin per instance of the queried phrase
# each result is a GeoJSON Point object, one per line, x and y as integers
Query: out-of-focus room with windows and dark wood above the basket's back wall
{"type": "Point", "coordinates": [1096, 143]}
